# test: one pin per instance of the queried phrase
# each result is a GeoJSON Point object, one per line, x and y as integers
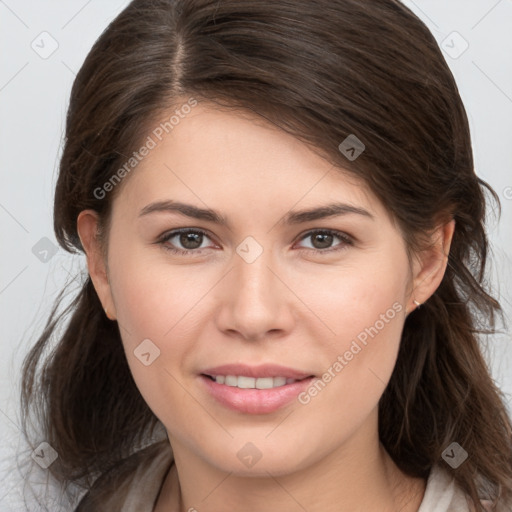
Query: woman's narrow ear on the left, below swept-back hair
{"type": "Point", "coordinates": [87, 227]}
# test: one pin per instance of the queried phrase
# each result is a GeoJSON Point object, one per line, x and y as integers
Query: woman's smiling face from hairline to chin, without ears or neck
{"type": "Point", "coordinates": [323, 297]}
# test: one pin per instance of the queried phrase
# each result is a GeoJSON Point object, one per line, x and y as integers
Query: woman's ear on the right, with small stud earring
{"type": "Point", "coordinates": [430, 265]}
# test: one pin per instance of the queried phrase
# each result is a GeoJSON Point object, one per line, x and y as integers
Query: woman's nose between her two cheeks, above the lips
{"type": "Point", "coordinates": [256, 302]}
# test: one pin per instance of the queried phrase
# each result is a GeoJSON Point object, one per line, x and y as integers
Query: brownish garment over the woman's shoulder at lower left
{"type": "Point", "coordinates": [132, 484]}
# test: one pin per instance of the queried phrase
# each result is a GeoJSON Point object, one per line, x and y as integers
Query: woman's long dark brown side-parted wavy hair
{"type": "Point", "coordinates": [320, 70]}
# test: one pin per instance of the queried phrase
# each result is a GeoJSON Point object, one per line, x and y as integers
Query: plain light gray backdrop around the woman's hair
{"type": "Point", "coordinates": [34, 95]}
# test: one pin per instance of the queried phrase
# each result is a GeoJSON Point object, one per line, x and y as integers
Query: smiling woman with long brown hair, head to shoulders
{"type": "Point", "coordinates": [285, 241]}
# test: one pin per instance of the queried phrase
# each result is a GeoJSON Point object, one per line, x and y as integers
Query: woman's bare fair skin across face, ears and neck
{"type": "Point", "coordinates": [290, 306]}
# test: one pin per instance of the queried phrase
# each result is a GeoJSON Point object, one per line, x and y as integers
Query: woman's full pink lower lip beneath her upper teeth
{"type": "Point", "coordinates": [255, 401]}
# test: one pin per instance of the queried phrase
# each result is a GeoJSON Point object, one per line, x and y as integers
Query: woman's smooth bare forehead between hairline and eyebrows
{"type": "Point", "coordinates": [234, 159]}
